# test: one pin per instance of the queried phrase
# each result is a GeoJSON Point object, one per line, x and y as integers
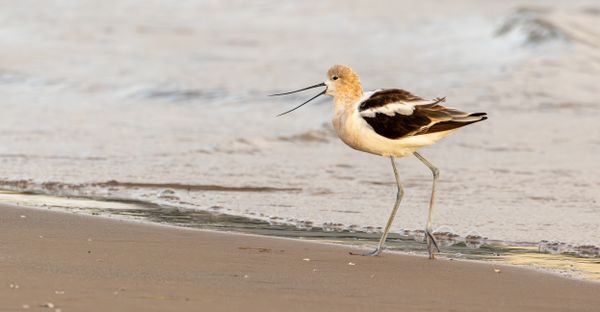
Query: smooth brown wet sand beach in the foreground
{"type": "Point", "coordinates": [83, 263]}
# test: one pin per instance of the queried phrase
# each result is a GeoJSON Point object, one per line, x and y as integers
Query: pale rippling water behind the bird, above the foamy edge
{"type": "Point", "coordinates": [168, 106]}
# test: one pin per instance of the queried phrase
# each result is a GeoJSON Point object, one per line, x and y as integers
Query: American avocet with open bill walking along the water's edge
{"type": "Point", "coordinates": [391, 123]}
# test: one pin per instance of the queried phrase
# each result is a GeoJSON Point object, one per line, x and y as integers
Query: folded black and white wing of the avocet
{"type": "Point", "coordinates": [395, 113]}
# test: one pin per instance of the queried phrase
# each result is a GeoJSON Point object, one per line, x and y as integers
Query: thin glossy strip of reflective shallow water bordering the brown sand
{"type": "Point", "coordinates": [567, 261]}
